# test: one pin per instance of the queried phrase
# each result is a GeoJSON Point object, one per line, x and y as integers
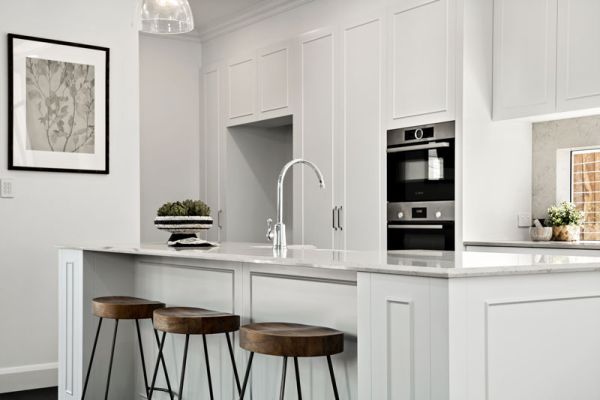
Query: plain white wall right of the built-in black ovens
{"type": "Point", "coordinates": [496, 154]}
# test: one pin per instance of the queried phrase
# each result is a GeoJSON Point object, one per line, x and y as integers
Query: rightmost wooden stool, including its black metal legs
{"type": "Point", "coordinates": [291, 340]}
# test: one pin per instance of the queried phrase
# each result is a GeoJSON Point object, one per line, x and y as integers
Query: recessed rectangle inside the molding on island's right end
{"type": "Point", "coordinates": [535, 317]}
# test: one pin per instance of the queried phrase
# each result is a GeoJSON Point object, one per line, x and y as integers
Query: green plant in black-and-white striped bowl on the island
{"type": "Point", "coordinates": [183, 219]}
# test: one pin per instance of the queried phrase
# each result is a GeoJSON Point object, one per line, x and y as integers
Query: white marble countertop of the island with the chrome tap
{"type": "Point", "coordinates": [438, 264]}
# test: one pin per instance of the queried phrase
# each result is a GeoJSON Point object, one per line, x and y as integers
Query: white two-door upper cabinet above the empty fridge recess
{"type": "Point", "coordinates": [260, 85]}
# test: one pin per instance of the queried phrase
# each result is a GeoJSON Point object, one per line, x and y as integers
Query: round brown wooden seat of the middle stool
{"type": "Point", "coordinates": [194, 321]}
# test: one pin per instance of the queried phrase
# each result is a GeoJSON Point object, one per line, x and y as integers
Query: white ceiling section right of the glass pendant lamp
{"type": "Point", "coordinates": [208, 12]}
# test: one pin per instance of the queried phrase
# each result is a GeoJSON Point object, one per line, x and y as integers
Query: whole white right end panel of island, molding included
{"type": "Point", "coordinates": [529, 337]}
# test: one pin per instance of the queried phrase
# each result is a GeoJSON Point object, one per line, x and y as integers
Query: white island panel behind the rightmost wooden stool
{"type": "Point", "coordinates": [310, 296]}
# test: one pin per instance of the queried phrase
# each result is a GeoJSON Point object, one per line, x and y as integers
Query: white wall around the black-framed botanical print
{"type": "Point", "coordinates": [54, 208]}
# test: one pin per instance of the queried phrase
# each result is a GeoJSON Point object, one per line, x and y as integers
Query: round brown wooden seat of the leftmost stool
{"type": "Point", "coordinates": [123, 307]}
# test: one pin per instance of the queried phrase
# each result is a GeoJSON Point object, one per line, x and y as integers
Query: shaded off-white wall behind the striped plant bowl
{"type": "Point", "coordinates": [169, 126]}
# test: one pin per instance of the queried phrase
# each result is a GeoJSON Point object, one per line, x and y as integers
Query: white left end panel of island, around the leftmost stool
{"type": "Point", "coordinates": [83, 276]}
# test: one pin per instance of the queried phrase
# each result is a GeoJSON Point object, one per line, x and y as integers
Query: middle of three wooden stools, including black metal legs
{"type": "Point", "coordinates": [194, 321]}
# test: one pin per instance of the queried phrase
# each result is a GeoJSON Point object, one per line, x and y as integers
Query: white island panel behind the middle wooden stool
{"type": "Point", "coordinates": [213, 285]}
